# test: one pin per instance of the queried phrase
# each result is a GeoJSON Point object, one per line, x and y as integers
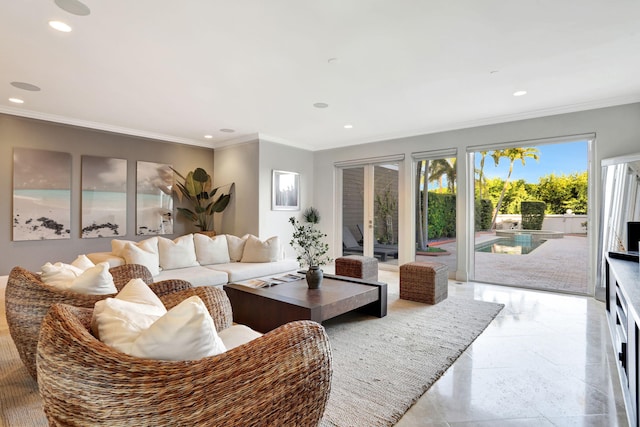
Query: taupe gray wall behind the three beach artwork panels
{"type": "Point", "coordinates": [30, 133]}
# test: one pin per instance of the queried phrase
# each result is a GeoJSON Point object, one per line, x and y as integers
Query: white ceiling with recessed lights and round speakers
{"type": "Point", "coordinates": [180, 70]}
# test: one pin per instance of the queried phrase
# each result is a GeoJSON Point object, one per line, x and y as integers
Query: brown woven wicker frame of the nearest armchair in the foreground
{"type": "Point", "coordinates": [282, 378]}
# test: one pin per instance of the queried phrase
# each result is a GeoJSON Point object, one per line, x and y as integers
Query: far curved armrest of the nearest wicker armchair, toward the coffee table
{"type": "Point", "coordinates": [214, 298]}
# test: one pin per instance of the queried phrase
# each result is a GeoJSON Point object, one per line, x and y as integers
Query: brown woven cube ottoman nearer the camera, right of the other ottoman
{"type": "Point", "coordinates": [424, 282]}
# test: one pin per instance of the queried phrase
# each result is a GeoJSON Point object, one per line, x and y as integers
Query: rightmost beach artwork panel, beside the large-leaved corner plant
{"type": "Point", "coordinates": [154, 199]}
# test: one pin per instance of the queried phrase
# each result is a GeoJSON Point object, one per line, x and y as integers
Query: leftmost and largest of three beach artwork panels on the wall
{"type": "Point", "coordinates": [41, 194]}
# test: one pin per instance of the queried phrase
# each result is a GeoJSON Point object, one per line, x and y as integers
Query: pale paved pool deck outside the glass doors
{"type": "Point", "coordinates": [557, 265]}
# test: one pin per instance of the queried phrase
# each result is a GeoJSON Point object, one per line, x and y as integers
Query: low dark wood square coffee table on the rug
{"type": "Point", "coordinates": [264, 309]}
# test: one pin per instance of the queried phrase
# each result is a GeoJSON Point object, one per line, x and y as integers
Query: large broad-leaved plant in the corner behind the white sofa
{"type": "Point", "coordinates": [198, 190]}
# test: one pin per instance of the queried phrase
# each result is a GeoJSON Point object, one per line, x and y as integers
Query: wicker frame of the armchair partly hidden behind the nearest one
{"type": "Point", "coordinates": [28, 299]}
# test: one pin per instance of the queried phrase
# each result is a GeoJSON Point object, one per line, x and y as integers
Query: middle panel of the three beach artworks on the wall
{"type": "Point", "coordinates": [104, 197]}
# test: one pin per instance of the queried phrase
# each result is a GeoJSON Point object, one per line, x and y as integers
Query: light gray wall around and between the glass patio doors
{"type": "Point", "coordinates": [617, 131]}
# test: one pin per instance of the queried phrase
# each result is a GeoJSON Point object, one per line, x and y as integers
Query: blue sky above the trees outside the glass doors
{"type": "Point", "coordinates": [565, 158]}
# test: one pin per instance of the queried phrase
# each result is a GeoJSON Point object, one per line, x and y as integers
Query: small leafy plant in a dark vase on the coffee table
{"type": "Point", "coordinates": [308, 242]}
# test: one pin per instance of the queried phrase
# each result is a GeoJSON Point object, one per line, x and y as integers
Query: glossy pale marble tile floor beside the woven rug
{"type": "Point", "coordinates": [546, 360]}
